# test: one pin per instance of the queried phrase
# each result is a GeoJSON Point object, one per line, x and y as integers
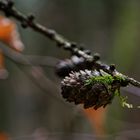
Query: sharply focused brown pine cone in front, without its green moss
{"type": "Point", "coordinates": [75, 90]}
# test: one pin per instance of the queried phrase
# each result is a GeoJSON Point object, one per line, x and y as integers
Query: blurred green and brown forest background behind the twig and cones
{"type": "Point", "coordinates": [109, 27]}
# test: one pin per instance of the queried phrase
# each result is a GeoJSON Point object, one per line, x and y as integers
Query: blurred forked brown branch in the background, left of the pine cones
{"type": "Point", "coordinates": [35, 73]}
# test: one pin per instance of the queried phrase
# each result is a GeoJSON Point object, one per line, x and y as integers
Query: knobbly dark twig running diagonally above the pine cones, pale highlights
{"type": "Point", "coordinates": [29, 21]}
